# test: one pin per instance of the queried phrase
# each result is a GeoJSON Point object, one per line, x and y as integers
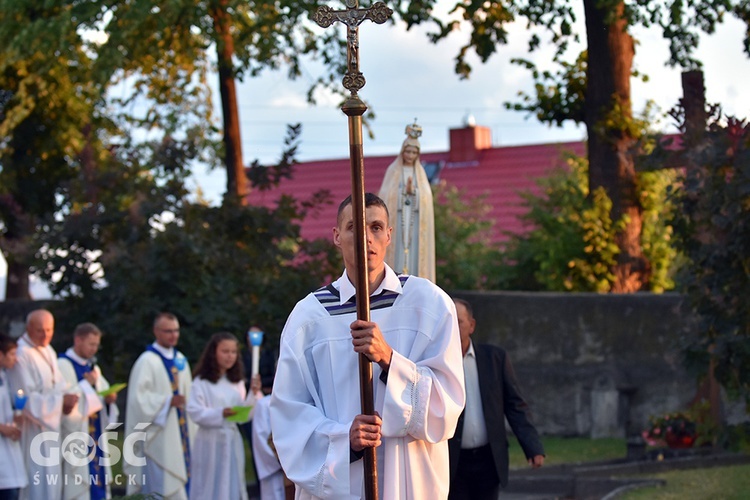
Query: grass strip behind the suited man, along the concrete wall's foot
{"type": "Point", "coordinates": [560, 450]}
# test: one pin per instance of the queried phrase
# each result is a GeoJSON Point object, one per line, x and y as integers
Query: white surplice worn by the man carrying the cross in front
{"type": "Point", "coordinates": [316, 392]}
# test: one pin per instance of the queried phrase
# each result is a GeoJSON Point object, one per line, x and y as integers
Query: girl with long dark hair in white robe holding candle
{"type": "Point", "coordinates": [218, 463]}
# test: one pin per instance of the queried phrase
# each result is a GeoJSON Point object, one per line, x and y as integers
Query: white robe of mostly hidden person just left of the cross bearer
{"type": "Point", "coordinates": [270, 475]}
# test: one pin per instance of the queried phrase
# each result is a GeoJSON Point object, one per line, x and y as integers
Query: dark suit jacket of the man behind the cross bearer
{"type": "Point", "coordinates": [501, 399]}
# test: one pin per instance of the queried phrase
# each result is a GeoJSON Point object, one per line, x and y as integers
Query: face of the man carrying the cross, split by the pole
{"type": "Point", "coordinates": [378, 237]}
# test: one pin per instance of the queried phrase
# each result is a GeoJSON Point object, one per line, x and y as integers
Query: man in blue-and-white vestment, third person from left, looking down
{"type": "Point", "coordinates": [91, 415]}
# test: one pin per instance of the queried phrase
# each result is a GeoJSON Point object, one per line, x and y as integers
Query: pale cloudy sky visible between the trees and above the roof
{"type": "Point", "coordinates": [408, 77]}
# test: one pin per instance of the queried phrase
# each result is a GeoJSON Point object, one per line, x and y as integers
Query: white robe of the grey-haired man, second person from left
{"type": "Point", "coordinates": [36, 372]}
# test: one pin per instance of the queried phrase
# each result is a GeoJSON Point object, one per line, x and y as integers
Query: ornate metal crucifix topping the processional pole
{"type": "Point", "coordinates": [352, 17]}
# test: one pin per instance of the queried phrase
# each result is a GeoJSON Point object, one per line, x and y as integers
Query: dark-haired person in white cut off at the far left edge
{"type": "Point", "coordinates": [12, 470]}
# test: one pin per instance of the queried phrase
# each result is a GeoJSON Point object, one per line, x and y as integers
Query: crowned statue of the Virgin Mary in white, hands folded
{"type": "Point", "coordinates": [408, 196]}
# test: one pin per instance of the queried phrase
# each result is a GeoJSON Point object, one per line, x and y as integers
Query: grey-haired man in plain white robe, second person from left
{"type": "Point", "coordinates": [37, 374]}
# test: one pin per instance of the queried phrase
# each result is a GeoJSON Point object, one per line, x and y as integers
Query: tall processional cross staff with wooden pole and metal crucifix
{"type": "Point", "coordinates": [354, 108]}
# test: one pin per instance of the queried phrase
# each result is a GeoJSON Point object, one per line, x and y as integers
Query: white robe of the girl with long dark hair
{"type": "Point", "coordinates": [218, 452]}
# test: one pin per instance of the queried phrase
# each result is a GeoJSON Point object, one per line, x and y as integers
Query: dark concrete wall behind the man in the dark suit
{"type": "Point", "coordinates": [590, 364]}
